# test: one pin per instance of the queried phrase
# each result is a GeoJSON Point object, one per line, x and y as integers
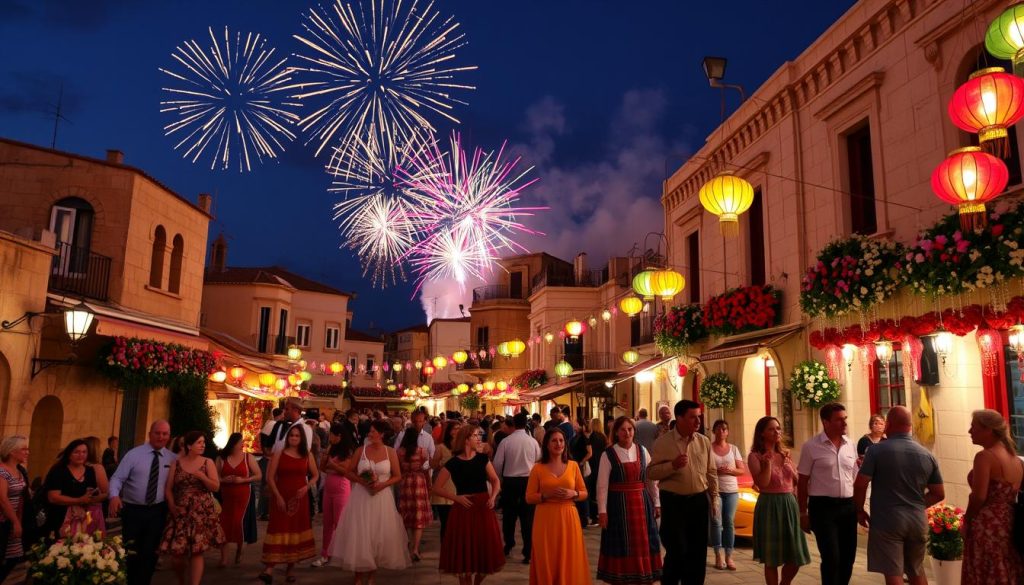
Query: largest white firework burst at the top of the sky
{"type": "Point", "coordinates": [380, 63]}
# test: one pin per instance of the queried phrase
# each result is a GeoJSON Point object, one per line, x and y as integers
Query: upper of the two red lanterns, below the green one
{"type": "Point", "coordinates": [990, 103]}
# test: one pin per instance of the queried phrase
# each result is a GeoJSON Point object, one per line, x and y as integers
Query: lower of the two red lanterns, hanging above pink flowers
{"type": "Point", "coordinates": [969, 179]}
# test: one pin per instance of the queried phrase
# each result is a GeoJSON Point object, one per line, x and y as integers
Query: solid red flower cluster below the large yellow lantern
{"type": "Point", "coordinates": [742, 310]}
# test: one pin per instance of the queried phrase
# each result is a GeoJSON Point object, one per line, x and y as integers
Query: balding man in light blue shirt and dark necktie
{"type": "Point", "coordinates": [138, 493]}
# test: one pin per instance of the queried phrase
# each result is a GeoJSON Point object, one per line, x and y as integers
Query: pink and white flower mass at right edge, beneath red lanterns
{"type": "Point", "coordinates": [947, 262]}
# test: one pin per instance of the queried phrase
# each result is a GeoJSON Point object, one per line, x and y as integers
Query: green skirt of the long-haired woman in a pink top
{"type": "Point", "coordinates": [778, 538]}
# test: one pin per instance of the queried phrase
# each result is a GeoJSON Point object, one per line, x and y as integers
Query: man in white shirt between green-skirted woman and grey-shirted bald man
{"type": "Point", "coordinates": [828, 471]}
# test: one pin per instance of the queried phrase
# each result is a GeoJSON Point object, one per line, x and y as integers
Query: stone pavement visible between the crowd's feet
{"type": "Point", "coordinates": [516, 573]}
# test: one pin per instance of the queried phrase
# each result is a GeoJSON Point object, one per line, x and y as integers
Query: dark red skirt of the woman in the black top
{"type": "Point", "coordinates": [473, 540]}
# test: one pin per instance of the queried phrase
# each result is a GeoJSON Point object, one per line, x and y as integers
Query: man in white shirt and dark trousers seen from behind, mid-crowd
{"type": "Point", "coordinates": [514, 462]}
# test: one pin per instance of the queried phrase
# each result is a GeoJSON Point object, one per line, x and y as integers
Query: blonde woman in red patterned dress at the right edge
{"type": "Point", "coordinates": [990, 556]}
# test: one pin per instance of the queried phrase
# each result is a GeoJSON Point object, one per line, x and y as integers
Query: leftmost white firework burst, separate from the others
{"type": "Point", "coordinates": [228, 101]}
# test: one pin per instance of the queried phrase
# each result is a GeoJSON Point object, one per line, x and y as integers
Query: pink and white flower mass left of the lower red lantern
{"type": "Point", "coordinates": [851, 275]}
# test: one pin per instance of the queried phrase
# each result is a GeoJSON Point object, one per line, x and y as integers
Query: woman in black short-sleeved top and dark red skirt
{"type": "Point", "coordinates": [473, 549]}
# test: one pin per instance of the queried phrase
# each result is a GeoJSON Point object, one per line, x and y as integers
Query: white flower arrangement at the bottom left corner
{"type": "Point", "coordinates": [80, 559]}
